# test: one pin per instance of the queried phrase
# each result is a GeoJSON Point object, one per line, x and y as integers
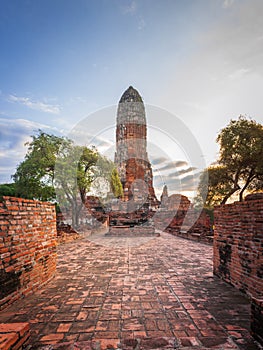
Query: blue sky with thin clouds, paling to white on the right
{"type": "Point", "coordinates": [61, 60]}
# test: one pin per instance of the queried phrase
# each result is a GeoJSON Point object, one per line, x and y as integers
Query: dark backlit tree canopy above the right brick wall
{"type": "Point", "coordinates": [240, 164]}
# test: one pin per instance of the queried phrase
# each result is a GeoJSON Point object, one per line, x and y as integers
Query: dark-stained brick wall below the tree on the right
{"type": "Point", "coordinates": [238, 245]}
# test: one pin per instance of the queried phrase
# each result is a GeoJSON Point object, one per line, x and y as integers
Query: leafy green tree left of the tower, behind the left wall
{"type": "Point", "coordinates": [55, 168]}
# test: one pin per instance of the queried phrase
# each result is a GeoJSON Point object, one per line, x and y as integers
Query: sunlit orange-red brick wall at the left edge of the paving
{"type": "Point", "coordinates": [28, 242]}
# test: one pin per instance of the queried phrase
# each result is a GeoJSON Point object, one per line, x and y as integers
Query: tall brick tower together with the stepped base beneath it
{"type": "Point", "coordinates": [132, 213]}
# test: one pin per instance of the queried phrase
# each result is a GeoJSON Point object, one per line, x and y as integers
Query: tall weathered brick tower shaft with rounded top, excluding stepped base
{"type": "Point", "coordinates": [131, 156]}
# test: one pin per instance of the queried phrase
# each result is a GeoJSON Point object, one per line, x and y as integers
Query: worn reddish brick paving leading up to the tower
{"type": "Point", "coordinates": [135, 293]}
